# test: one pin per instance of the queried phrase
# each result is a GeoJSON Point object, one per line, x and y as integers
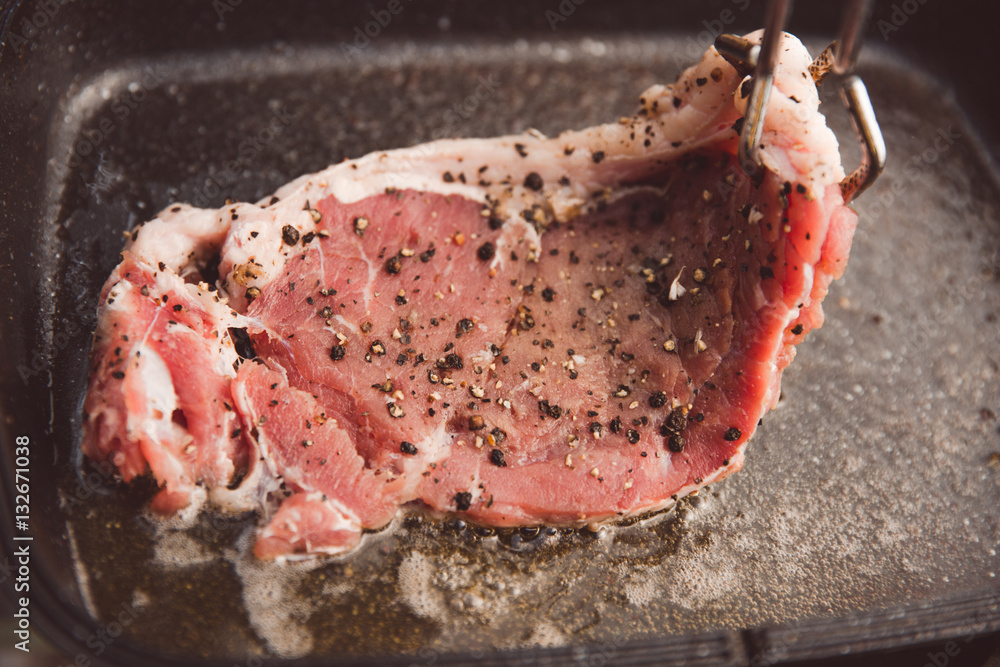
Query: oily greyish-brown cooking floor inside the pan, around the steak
{"type": "Point", "coordinates": [874, 484]}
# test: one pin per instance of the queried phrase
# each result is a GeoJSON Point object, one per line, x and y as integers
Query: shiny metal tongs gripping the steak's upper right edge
{"type": "Point", "coordinates": [839, 58]}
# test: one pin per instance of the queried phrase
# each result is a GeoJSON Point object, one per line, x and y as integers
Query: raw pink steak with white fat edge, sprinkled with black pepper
{"type": "Point", "coordinates": [521, 330]}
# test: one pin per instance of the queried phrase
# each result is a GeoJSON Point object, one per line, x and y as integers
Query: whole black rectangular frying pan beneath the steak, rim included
{"type": "Point", "coordinates": [866, 516]}
